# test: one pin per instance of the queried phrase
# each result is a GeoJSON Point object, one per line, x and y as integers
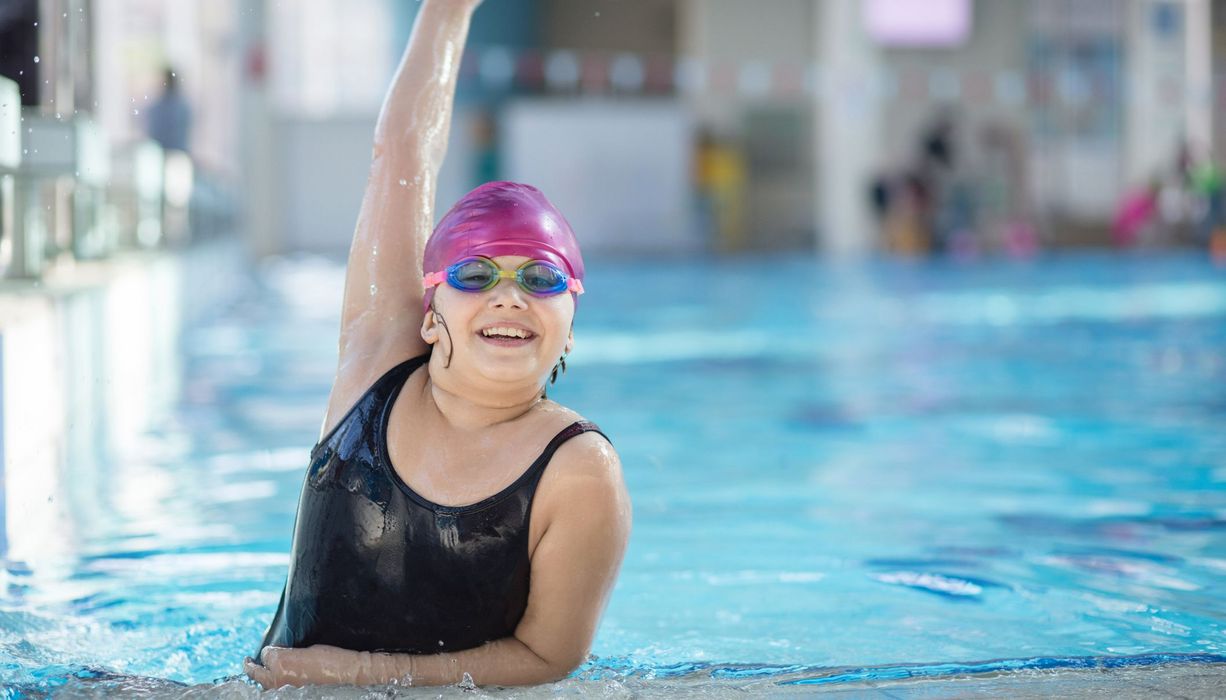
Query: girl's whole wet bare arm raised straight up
{"type": "Point", "coordinates": [382, 313]}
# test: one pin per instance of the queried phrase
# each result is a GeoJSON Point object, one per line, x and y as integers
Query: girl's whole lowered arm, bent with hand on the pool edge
{"type": "Point", "coordinates": [587, 517]}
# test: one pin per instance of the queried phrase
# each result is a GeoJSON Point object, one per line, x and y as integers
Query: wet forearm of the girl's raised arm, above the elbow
{"type": "Point", "coordinates": [416, 113]}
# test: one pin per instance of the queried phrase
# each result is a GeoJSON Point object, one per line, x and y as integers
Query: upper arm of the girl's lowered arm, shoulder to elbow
{"type": "Point", "coordinates": [577, 561]}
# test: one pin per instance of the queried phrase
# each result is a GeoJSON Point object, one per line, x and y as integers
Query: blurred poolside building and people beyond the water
{"type": "Point", "coordinates": [848, 128]}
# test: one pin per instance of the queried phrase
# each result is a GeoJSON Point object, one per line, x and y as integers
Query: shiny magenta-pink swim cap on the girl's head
{"type": "Point", "coordinates": [503, 219]}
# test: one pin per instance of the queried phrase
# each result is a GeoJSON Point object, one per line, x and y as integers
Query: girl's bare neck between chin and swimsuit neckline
{"type": "Point", "coordinates": [469, 409]}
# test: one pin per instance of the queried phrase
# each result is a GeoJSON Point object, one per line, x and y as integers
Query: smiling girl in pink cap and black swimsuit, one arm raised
{"type": "Point", "coordinates": [454, 522]}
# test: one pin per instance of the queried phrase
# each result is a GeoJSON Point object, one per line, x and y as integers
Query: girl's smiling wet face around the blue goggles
{"type": "Point", "coordinates": [503, 335]}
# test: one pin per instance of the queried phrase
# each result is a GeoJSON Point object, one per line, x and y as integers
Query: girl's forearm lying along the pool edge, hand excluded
{"type": "Point", "coordinates": [502, 663]}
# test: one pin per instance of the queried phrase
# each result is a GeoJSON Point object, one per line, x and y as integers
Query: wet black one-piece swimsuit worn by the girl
{"type": "Point", "coordinates": [376, 567]}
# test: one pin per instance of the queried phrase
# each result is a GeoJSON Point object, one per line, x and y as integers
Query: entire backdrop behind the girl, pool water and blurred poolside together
{"type": "Point", "coordinates": [1015, 209]}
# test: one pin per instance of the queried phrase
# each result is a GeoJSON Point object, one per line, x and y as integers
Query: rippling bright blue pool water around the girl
{"type": "Point", "coordinates": [839, 473]}
